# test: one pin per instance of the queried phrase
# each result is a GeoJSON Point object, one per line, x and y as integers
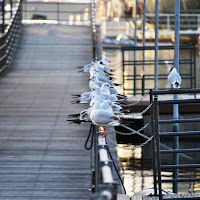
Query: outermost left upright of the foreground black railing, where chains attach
{"type": "Point", "coordinates": [153, 145]}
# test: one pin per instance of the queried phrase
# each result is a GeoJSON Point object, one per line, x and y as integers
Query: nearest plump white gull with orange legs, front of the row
{"type": "Point", "coordinates": [102, 115]}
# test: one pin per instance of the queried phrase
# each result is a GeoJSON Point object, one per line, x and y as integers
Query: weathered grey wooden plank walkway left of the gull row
{"type": "Point", "coordinates": [41, 155]}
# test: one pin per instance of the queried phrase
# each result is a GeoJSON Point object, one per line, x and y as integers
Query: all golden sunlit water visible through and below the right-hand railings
{"type": "Point", "coordinates": [137, 170]}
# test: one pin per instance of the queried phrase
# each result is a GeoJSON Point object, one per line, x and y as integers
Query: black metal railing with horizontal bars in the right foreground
{"type": "Point", "coordinates": [155, 129]}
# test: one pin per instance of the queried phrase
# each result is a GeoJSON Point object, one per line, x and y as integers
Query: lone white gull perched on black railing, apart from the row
{"type": "Point", "coordinates": [174, 78]}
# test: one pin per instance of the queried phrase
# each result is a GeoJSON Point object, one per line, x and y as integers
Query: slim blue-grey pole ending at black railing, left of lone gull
{"type": "Point", "coordinates": [156, 43]}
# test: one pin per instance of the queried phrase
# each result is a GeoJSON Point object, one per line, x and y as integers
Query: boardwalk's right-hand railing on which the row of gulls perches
{"type": "Point", "coordinates": [104, 187]}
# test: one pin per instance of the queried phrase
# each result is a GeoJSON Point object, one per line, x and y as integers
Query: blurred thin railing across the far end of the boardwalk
{"type": "Point", "coordinates": [57, 12]}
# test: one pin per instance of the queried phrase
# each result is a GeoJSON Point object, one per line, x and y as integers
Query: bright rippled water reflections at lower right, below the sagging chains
{"type": "Point", "coordinates": [138, 175]}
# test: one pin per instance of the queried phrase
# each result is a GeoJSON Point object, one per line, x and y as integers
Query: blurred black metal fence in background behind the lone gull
{"type": "Point", "coordinates": [137, 82]}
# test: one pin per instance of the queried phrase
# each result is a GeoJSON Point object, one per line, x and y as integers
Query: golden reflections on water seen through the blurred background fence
{"type": "Point", "coordinates": [116, 63]}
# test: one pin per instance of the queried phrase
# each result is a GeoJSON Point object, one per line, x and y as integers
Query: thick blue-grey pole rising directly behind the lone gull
{"type": "Point", "coordinates": [175, 106]}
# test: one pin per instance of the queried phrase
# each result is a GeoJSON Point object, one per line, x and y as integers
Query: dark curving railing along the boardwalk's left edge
{"type": "Point", "coordinates": [10, 37]}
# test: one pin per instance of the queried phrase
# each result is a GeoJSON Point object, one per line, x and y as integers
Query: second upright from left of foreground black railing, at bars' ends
{"type": "Point", "coordinates": [156, 114]}
